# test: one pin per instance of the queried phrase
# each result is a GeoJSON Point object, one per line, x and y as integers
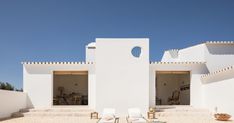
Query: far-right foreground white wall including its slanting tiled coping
{"type": "Point", "coordinates": [218, 91]}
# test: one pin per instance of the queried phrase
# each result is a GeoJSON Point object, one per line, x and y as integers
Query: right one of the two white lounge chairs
{"type": "Point", "coordinates": [135, 116]}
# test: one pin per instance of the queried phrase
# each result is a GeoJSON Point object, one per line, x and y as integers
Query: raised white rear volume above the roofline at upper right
{"type": "Point", "coordinates": [216, 56]}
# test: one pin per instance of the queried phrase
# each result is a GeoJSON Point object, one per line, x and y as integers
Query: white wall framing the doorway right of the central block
{"type": "Point", "coordinates": [195, 84]}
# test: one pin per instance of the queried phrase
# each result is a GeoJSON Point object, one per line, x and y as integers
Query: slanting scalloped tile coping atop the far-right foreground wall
{"type": "Point", "coordinates": [218, 75]}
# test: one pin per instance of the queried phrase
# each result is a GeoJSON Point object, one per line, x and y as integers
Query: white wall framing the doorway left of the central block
{"type": "Point", "coordinates": [38, 82]}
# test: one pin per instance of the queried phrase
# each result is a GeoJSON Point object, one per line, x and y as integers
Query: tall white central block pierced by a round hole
{"type": "Point", "coordinates": [122, 79]}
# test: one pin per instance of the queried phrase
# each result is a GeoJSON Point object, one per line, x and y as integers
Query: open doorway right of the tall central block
{"type": "Point", "coordinates": [173, 88]}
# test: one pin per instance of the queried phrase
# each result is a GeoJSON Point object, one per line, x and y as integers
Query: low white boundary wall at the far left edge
{"type": "Point", "coordinates": [11, 101]}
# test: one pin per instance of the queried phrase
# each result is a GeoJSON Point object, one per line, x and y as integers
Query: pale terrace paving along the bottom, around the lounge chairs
{"type": "Point", "coordinates": [168, 119]}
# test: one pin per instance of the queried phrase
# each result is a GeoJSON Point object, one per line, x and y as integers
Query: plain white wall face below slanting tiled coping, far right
{"type": "Point", "coordinates": [219, 94]}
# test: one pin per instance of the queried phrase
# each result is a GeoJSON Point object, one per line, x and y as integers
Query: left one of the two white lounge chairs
{"type": "Point", "coordinates": [108, 116]}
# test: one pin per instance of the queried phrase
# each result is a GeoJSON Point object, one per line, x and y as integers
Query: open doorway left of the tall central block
{"type": "Point", "coordinates": [70, 88]}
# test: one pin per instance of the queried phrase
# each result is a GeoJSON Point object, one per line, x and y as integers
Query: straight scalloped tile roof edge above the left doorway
{"type": "Point", "coordinates": [56, 63]}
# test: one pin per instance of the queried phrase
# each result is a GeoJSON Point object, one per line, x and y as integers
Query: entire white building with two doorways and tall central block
{"type": "Point", "coordinates": [117, 73]}
